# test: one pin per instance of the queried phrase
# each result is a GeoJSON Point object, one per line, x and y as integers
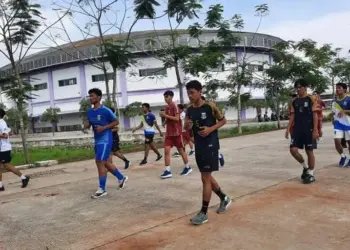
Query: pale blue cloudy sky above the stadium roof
{"type": "Point", "coordinates": [321, 20]}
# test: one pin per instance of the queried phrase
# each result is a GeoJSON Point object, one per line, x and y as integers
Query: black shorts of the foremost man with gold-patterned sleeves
{"type": "Point", "coordinates": [207, 159]}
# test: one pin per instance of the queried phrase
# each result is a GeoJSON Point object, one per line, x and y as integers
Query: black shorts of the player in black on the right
{"type": "Point", "coordinates": [303, 139]}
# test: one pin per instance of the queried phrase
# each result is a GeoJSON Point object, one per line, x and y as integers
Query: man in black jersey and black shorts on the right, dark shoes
{"type": "Point", "coordinates": [303, 124]}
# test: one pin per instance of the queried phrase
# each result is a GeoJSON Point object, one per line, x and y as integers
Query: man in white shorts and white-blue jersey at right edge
{"type": "Point", "coordinates": [341, 111]}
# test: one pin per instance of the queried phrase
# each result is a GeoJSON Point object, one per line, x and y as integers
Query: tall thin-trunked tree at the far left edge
{"type": "Point", "coordinates": [19, 30]}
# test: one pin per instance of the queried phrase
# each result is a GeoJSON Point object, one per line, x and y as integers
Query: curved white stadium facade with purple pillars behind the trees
{"type": "Point", "coordinates": [62, 77]}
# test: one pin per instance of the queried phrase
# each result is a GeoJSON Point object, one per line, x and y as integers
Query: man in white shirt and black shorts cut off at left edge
{"type": "Point", "coordinates": [5, 153]}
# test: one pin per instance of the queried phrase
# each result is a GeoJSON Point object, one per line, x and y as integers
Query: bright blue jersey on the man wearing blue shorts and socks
{"type": "Point", "coordinates": [101, 117]}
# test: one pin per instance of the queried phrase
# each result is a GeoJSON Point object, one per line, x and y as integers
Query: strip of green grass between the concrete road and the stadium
{"type": "Point", "coordinates": [71, 154]}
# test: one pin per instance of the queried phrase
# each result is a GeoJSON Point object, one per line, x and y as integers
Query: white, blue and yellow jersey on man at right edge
{"type": "Point", "coordinates": [341, 123]}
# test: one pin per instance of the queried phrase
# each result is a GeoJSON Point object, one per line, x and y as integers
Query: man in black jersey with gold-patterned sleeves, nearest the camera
{"type": "Point", "coordinates": [204, 118]}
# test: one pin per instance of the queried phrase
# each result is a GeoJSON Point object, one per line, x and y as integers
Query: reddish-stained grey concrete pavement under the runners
{"type": "Point", "coordinates": [271, 211]}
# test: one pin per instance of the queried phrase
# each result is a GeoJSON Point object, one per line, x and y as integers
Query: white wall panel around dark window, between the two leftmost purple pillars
{"type": "Point", "coordinates": [66, 91]}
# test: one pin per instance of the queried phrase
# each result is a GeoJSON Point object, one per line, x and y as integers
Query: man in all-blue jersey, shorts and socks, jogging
{"type": "Point", "coordinates": [102, 120]}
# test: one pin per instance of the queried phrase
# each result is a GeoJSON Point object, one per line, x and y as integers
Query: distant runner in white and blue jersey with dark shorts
{"type": "Point", "coordinates": [148, 122]}
